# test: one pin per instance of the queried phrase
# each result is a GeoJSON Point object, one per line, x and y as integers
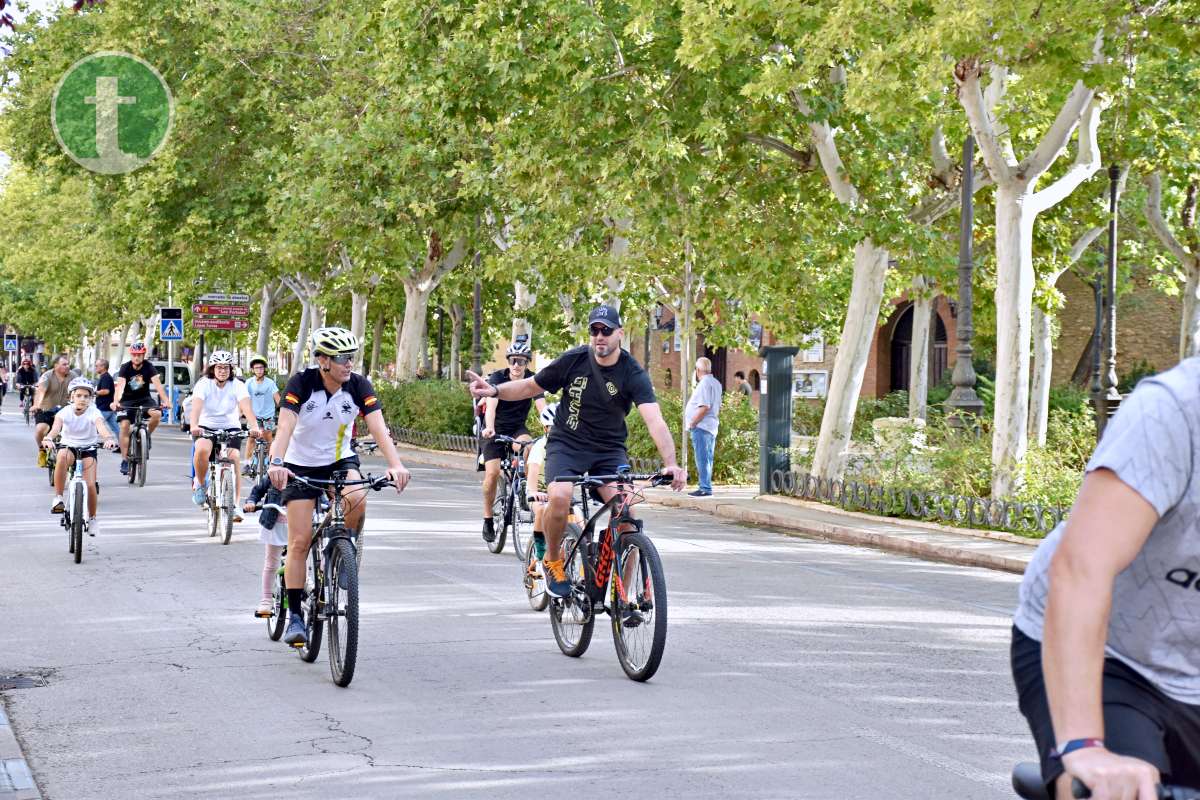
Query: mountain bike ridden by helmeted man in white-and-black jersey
{"type": "Point", "coordinates": [332, 581]}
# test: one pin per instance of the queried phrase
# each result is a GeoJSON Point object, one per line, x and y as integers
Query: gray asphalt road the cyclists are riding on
{"type": "Point", "coordinates": [794, 669]}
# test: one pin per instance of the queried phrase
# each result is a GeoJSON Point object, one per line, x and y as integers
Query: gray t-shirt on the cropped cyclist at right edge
{"type": "Point", "coordinates": [1154, 447]}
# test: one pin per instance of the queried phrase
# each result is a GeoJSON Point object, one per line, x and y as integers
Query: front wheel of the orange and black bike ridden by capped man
{"type": "Point", "coordinates": [639, 599]}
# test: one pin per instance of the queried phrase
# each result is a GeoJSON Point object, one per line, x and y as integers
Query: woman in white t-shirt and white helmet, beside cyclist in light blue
{"type": "Point", "coordinates": [219, 401]}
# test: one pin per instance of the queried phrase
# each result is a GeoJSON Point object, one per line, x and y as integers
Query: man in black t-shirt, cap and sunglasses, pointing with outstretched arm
{"type": "Point", "coordinates": [590, 429]}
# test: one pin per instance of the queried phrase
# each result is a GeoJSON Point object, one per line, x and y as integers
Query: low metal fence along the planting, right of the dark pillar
{"type": "Point", "coordinates": [920, 504]}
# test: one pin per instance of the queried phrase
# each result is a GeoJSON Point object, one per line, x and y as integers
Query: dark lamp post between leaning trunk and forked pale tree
{"type": "Point", "coordinates": [964, 404]}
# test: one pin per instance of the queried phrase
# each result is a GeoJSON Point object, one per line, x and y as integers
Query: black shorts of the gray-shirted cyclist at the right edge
{"type": "Point", "coordinates": [1139, 720]}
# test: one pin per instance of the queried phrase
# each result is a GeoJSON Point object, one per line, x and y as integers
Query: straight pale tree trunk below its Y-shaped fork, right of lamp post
{"type": "Point", "coordinates": [1015, 305]}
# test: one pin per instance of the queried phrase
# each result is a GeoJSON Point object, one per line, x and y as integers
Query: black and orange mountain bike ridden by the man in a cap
{"type": "Point", "coordinates": [620, 573]}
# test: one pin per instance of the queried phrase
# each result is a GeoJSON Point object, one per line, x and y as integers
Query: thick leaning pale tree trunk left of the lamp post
{"type": "Point", "coordinates": [854, 350]}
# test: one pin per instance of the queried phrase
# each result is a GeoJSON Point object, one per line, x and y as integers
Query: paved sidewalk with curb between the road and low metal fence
{"type": "Point", "coordinates": [963, 546]}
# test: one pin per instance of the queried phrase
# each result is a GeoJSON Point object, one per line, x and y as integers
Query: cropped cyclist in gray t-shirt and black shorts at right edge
{"type": "Point", "coordinates": [1106, 635]}
